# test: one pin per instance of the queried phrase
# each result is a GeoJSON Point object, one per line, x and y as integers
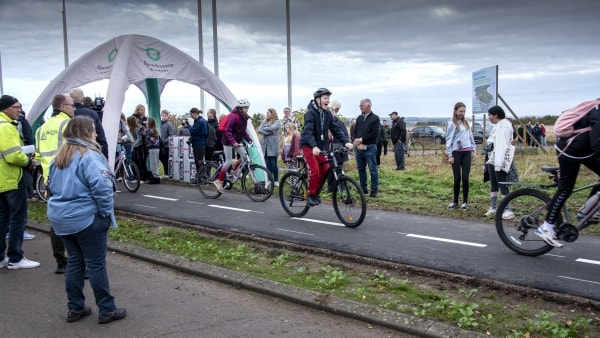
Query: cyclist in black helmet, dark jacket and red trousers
{"type": "Point", "coordinates": [318, 121]}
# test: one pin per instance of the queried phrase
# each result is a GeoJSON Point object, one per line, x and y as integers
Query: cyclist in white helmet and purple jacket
{"type": "Point", "coordinates": [235, 132]}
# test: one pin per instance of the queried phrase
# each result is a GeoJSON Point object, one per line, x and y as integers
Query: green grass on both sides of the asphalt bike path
{"type": "Point", "coordinates": [424, 188]}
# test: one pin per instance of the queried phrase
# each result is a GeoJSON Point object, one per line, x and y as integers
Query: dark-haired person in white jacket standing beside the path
{"type": "Point", "coordinates": [499, 140]}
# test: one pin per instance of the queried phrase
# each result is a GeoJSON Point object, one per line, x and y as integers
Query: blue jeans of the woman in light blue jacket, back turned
{"type": "Point", "coordinates": [88, 248]}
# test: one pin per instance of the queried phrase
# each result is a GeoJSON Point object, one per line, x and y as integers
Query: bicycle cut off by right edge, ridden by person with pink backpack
{"type": "Point", "coordinates": [529, 205]}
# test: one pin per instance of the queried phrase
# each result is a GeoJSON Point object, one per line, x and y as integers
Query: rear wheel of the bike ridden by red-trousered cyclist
{"type": "Point", "coordinates": [293, 194]}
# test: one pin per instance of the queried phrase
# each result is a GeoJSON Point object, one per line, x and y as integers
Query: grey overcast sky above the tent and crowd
{"type": "Point", "coordinates": [415, 57]}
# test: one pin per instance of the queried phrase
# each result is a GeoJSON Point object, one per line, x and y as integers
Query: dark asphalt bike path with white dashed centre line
{"type": "Point", "coordinates": [451, 245]}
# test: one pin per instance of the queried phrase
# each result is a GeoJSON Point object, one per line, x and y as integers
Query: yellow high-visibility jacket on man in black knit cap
{"type": "Point", "coordinates": [12, 158]}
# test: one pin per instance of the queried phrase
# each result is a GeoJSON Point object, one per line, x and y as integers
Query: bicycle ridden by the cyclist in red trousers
{"type": "Point", "coordinates": [348, 199]}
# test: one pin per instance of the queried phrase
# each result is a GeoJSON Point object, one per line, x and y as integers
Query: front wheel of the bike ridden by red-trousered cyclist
{"type": "Point", "coordinates": [349, 202]}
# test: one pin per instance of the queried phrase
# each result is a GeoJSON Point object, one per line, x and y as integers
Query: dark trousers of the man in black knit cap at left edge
{"type": "Point", "coordinates": [13, 217]}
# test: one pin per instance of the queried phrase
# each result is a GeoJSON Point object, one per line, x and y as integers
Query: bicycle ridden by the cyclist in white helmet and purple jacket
{"type": "Point", "coordinates": [256, 180]}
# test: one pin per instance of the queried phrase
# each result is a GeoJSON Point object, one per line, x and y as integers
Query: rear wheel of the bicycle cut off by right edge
{"type": "Point", "coordinates": [529, 209]}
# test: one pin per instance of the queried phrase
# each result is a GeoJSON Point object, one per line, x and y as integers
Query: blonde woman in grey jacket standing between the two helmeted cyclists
{"type": "Point", "coordinates": [269, 129]}
